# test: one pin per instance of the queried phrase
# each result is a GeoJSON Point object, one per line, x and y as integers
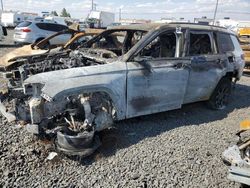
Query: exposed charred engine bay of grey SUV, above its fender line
{"type": "Point", "coordinates": [59, 61]}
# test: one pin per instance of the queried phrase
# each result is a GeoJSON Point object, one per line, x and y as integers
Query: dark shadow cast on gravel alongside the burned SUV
{"type": "Point", "coordinates": [132, 131]}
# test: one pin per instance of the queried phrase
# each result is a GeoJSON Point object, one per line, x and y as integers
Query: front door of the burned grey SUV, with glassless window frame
{"type": "Point", "coordinates": [157, 77]}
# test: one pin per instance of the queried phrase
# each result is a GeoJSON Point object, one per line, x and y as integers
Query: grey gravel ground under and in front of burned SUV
{"type": "Point", "coordinates": [181, 148]}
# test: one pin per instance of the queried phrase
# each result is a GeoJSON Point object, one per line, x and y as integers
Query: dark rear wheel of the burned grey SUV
{"type": "Point", "coordinates": [220, 96]}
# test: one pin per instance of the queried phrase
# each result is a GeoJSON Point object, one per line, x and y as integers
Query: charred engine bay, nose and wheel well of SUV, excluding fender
{"type": "Point", "coordinates": [74, 120]}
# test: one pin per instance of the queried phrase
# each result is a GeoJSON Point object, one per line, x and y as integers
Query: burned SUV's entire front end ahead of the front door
{"type": "Point", "coordinates": [76, 104]}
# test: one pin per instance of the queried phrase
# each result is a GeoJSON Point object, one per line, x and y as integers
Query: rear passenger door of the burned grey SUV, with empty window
{"type": "Point", "coordinates": [207, 66]}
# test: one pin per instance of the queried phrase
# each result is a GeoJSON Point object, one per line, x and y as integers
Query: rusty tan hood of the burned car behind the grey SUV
{"type": "Point", "coordinates": [25, 51]}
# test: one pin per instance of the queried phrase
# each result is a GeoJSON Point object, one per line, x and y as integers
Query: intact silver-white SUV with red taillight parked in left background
{"type": "Point", "coordinates": [29, 32]}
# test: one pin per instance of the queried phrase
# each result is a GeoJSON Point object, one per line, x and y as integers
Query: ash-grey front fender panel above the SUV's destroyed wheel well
{"type": "Point", "coordinates": [61, 82]}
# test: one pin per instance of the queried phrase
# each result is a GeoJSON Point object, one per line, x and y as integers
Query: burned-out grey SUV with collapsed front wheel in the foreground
{"type": "Point", "coordinates": [146, 69]}
